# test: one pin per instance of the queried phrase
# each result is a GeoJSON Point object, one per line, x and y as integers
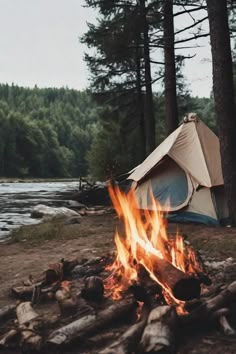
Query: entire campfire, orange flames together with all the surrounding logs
{"type": "Point", "coordinates": [132, 302]}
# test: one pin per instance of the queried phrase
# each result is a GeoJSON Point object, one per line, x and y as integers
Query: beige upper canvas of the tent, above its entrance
{"type": "Point", "coordinates": [195, 148]}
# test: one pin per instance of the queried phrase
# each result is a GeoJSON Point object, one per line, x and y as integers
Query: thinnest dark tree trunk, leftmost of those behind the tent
{"type": "Point", "coordinates": [140, 104]}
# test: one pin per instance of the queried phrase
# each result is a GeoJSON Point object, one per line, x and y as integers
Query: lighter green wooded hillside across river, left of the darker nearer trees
{"type": "Point", "coordinates": [45, 132]}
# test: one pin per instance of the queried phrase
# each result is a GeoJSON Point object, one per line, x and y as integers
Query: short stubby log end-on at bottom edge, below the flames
{"type": "Point", "coordinates": [159, 335]}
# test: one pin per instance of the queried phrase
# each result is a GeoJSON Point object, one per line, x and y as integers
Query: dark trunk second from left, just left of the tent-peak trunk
{"type": "Point", "coordinates": [150, 119]}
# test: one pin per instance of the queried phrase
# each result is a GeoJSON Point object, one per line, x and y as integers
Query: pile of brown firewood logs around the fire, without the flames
{"type": "Point", "coordinates": [70, 309]}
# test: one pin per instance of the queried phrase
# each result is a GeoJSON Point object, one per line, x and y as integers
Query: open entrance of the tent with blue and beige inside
{"type": "Point", "coordinates": [169, 185]}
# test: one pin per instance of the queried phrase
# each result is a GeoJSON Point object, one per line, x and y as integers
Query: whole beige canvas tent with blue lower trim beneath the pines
{"type": "Point", "coordinates": [185, 176]}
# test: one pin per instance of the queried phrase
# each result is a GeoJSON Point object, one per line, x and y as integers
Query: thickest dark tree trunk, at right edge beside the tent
{"type": "Point", "coordinates": [223, 88]}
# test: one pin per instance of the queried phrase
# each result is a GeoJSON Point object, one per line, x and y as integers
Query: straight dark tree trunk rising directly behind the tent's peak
{"type": "Point", "coordinates": [170, 70]}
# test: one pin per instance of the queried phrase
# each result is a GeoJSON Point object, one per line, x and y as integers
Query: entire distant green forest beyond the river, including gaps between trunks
{"type": "Point", "coordinates": [66, 133]}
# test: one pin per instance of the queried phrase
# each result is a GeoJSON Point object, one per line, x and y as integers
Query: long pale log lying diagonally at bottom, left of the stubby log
{"type": "Point", "coordinates": [90, 324]}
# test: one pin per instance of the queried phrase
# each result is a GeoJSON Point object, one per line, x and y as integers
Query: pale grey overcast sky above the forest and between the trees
{"type": "Point", "coordinates": [39, 45]}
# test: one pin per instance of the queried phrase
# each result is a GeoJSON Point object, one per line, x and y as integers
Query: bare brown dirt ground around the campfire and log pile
{"type": "Point", "coordinates": [94, 237]}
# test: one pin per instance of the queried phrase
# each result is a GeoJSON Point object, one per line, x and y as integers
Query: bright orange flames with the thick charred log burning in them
{"type": "Point", "coordinates": [146, 245]}
